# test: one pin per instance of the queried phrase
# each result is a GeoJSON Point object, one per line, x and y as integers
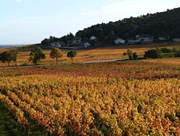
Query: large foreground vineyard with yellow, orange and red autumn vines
{"type": "Point", "coordinates": [121, 98]}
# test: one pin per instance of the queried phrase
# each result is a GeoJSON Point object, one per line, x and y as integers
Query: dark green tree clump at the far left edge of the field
{"type": "Point", "coordinates": [9, 56]}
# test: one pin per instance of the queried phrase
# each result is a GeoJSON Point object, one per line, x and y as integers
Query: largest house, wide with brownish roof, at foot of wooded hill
{"type": "Point", "coordinates": [144, 38]}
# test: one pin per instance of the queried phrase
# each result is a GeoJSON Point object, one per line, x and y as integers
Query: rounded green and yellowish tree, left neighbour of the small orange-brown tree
{"type": "Point", "coordinates": [36, 55]}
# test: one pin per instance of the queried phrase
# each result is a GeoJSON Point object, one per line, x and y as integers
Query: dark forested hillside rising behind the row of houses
{"type": "Point", "coordinates": [166, 24]}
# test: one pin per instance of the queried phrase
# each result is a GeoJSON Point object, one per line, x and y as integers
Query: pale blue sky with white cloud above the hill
{"type": "Point", "coordinates": [31, 21]}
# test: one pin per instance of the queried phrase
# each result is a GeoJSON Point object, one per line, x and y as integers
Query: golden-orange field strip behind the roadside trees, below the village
{"type": "Point", "coordinates": [104, 53]}
